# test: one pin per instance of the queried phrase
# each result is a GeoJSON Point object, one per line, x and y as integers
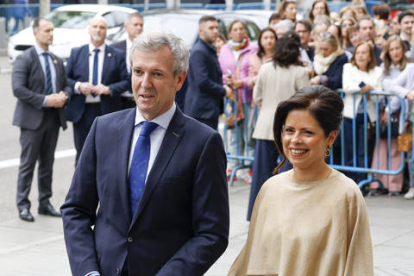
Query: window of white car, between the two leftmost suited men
{"type": "Point", "coordinates": [70, 19]}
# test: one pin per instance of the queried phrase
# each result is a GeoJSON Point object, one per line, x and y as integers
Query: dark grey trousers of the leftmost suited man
{"type": "Point", "coordinates": [38, 145]}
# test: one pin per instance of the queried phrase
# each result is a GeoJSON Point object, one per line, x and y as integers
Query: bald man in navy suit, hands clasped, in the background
{"type": "Point", "coordinates": [98, 75]}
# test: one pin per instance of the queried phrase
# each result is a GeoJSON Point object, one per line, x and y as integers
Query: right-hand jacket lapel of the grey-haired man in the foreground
{"type": "Point", "coordinates": [169, 144]}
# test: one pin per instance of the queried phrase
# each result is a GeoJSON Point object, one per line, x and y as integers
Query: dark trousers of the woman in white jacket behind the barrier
{"type": "Point", "coordinates": [360, 149]}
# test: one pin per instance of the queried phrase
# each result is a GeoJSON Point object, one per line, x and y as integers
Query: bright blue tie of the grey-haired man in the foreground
{"type": "Point", "coordinates": [139, 165]}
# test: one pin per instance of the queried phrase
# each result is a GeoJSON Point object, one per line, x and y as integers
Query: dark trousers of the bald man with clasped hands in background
{"type": "Point", "coordinates": [82, 127]}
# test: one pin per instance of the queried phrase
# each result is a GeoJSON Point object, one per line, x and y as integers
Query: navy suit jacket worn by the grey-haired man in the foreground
{"type": "Point", "coordinates": [182, 221]}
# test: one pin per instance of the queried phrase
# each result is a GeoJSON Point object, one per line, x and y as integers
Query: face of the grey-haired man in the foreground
{"type": "Point", "coordinates": [153, 82]}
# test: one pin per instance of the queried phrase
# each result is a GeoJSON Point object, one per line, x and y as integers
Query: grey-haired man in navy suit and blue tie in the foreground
{"type": "Point", "coordinates": [167, 215]}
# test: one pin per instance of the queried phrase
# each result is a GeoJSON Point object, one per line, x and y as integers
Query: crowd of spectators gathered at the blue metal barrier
{"type": "Point", "coordinates": [349, 50]}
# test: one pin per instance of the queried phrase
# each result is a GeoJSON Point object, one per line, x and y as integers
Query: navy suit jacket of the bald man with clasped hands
{"type": "Point", "coordinates": [114, 75]}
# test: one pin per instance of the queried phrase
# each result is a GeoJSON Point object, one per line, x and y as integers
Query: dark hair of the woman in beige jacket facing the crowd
{"type": "Point", "coordinates": [287, 50]}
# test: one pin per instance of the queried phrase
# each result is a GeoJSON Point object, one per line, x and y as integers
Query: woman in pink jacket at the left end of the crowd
{"type": "Point", "coordinates": [234, 62]}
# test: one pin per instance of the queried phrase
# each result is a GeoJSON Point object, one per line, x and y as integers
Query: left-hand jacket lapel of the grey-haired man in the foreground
{"type": "Point", "coordinates": [124, 137]}
